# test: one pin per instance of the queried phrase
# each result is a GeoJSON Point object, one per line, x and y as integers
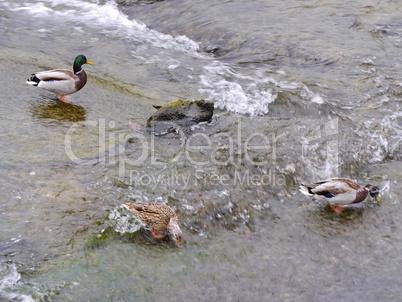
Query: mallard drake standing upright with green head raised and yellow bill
{"type": "Point", "coordinates": [62, 81]}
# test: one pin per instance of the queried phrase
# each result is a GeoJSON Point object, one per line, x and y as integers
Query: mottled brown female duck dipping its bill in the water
{"type": "Point", "coordinates": [159, 217]}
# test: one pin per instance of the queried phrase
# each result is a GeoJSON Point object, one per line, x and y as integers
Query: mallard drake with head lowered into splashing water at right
{"type": "Point", "coordinates": [339, 192]}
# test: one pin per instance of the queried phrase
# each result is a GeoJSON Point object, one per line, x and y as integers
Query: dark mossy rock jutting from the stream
{"type": "Point", "coordinates": [180, 113]}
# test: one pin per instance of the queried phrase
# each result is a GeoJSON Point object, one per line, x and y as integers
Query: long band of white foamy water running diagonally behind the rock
{"type": "Point", "coordinates": [230, 89]}
